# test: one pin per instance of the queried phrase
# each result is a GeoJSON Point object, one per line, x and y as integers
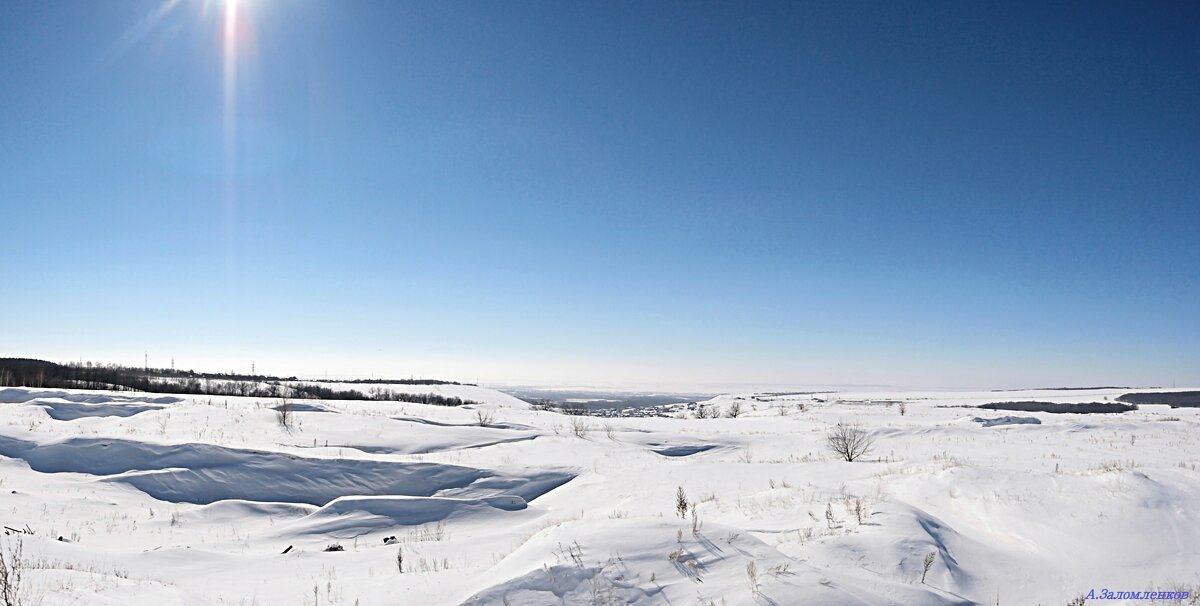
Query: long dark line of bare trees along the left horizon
{"type": "Point", "coordinates": [20, 373]}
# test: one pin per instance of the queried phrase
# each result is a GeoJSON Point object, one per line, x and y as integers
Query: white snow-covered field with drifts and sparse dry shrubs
{"type": "Point", "coordinates": [194, 501]}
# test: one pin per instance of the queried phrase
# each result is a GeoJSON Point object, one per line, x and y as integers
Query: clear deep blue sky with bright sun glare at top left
{"type": "Point", "coordinates": [661, 194]}
